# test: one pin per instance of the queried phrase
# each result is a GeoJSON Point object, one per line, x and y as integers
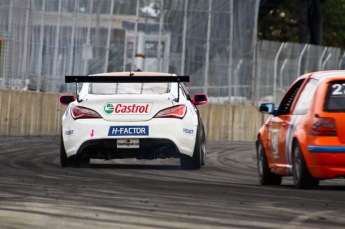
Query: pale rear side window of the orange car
{"type": "Point", "coordinates": [307, 95]}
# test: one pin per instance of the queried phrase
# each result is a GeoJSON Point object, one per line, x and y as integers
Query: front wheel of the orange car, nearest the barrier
{"type": "Point", "coordinates": [266, 177]}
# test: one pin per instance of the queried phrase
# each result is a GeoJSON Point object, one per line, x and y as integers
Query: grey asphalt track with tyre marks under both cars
{"type": "Point", "coordinates": [35, 192]}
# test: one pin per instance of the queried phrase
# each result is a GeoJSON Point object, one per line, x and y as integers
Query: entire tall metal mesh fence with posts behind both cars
{"type": "Point", "coordinates": [213, 41]}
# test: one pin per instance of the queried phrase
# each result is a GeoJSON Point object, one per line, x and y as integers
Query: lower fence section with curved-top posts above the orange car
{"type": "Point", "coordinates": [279, 64]}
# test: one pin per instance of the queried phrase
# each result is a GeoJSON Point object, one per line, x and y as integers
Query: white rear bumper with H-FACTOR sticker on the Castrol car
{"type": "Point", "coordinates": [101, 135]}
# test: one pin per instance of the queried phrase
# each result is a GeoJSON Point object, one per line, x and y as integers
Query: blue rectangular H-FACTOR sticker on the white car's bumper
{"type": "Point", "coordinates": [128, 131]}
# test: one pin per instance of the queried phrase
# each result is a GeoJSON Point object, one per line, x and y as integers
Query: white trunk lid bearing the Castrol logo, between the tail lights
{"type": "Point", "coordinates": [128, 107]}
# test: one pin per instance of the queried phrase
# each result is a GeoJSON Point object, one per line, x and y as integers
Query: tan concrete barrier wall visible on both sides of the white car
{"type": "Point", "coordinates": [38, 114]}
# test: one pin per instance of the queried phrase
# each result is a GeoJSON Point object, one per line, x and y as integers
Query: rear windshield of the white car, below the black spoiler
{"type": "Point", "coordinates": [129, 88]}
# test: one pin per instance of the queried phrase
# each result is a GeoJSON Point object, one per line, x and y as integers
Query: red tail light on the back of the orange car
{"type": "Point", "coordinates": [324, 127]}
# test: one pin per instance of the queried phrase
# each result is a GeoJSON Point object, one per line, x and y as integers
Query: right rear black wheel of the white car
{"type": "Point", "coordinates": [196, 161]}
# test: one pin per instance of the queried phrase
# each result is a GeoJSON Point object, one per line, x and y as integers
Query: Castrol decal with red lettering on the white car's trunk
{"type": "Point", "coordinates": [127, 108]}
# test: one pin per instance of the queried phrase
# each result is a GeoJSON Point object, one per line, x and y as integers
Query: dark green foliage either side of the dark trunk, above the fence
{"type": "Point", "coordinates": [281, 23]}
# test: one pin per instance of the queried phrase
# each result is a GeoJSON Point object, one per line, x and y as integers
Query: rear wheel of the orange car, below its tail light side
{"type": "Point", "coordinates": [301, 176]}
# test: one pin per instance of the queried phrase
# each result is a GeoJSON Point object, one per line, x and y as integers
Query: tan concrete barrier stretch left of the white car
{"type": "Point", "coordinates": [29, 114]}
